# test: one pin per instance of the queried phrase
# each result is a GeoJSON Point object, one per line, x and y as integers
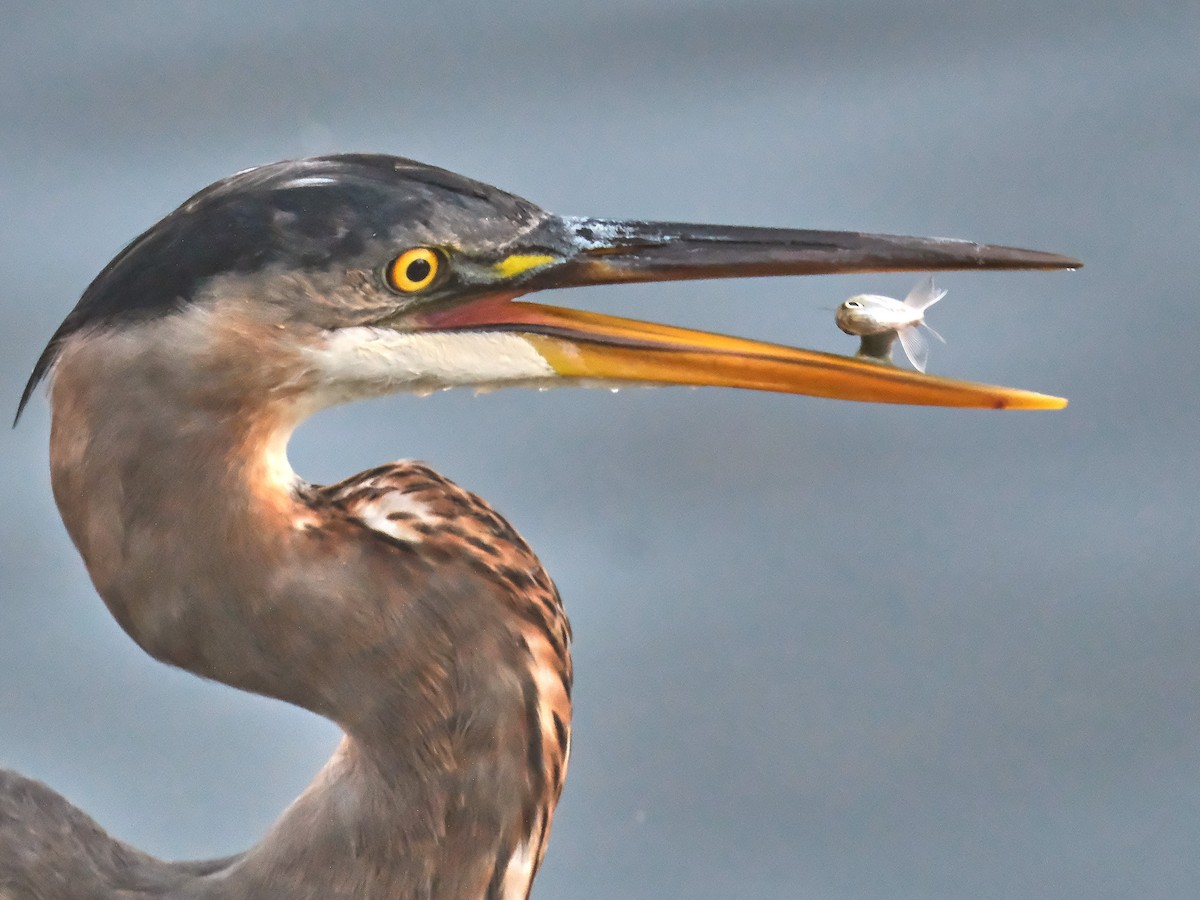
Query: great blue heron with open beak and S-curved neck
{"type": "Point", "coordinates": [395, 604]}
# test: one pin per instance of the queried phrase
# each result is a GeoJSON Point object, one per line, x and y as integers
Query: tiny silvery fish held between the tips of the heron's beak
{"type": "Point", "coordinates": [879, 321]}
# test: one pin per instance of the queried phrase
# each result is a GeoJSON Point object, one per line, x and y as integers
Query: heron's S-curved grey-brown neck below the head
{"type": "Point", "coordinates": [215, 559]}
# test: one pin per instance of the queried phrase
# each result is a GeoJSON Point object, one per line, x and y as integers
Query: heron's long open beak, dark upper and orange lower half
{"type": "Point", "coordinates": [596, 349]}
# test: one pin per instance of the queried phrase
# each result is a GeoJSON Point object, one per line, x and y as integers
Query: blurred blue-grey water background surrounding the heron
{"type": "Point", "coordinates": [824, 650]}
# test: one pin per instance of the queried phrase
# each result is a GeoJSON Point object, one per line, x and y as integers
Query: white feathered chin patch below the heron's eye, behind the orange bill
{"type": "Point", "coordinates": [367, 361]}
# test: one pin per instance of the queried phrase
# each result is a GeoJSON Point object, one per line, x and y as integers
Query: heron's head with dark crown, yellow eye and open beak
{"type": "Point", "coordinates": [351, 275]}
